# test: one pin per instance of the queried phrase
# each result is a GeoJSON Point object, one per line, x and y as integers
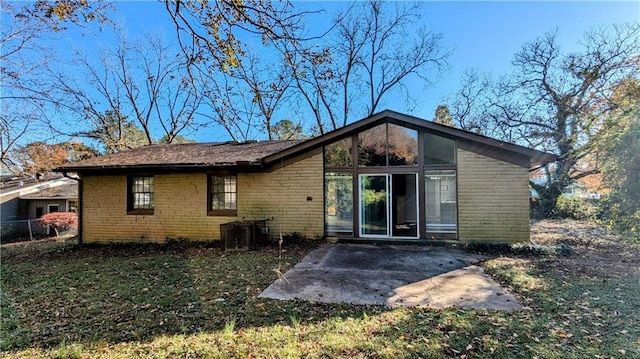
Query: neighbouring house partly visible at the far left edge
{"type": "Point", "coordinates": [24, 198]}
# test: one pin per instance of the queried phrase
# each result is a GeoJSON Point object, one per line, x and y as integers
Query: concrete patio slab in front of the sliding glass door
{"type": "Point", "coordinates": [418, 276]}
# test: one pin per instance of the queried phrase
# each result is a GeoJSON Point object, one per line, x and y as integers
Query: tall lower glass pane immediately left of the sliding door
{"type": "Point", "coordinates": [339, 202]}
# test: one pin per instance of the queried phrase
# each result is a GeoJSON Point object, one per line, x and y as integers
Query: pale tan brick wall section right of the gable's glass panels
{"type": "Point", "coordinates": [493, 199]}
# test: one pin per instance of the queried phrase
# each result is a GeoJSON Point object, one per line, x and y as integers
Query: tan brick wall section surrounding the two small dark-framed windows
{"type": "Point", "coordinates": [181, 205]}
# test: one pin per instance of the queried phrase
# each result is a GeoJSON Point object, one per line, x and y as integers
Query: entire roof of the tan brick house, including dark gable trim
{"type": "Point", "coordinates": [257, 154]}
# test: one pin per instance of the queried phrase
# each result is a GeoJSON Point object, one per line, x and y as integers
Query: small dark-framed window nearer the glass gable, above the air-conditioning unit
{"type": "Point", "coordinates": [222, 195]}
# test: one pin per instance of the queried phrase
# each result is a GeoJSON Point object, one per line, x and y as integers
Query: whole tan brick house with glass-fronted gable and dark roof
{"type": "Point", "coordinates": [386, 177]}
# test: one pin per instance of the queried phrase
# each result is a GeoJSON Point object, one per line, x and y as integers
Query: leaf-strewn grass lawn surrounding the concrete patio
{"type": "Point", "coordinates": [60, 300]}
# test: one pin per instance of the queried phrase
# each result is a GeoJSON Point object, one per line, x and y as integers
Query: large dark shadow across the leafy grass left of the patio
{"type": "Point", "coordinates": [104, 295]}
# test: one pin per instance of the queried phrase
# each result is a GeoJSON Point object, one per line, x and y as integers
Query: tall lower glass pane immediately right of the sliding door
{"type": "Point", "coordinates": [440, 199]}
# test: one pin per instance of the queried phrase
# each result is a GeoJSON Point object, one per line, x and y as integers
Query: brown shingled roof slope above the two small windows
{"type": "Point", "coordinates": [185, 155]}
